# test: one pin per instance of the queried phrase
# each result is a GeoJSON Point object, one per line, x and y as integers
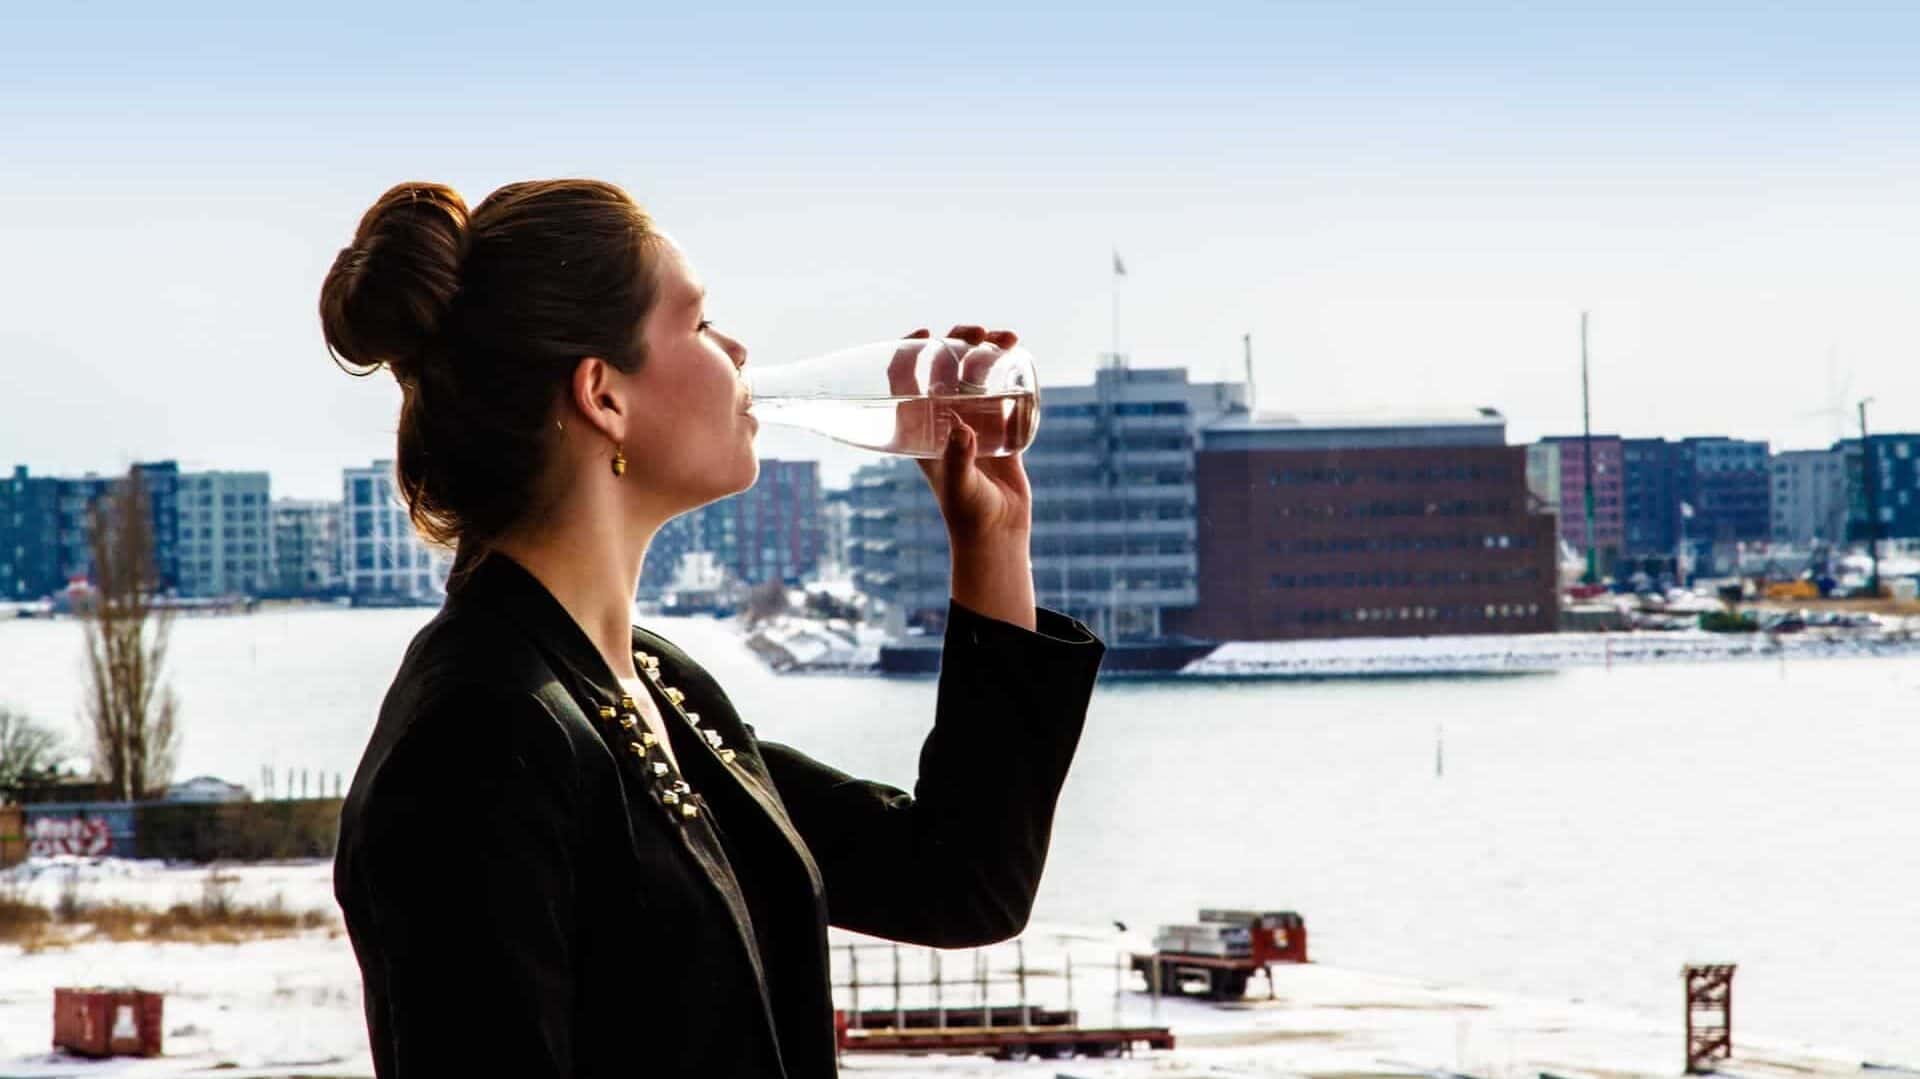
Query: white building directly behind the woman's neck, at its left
{"type": "Point", "coordinates": [383, 560]}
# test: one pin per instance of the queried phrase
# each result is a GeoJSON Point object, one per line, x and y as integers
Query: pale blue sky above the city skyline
{"type": "Point", "coordinates": [1406, 206]}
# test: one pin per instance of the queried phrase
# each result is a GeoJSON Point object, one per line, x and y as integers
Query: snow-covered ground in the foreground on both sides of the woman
{"type": "Point", "coordinates": [293, 1007]}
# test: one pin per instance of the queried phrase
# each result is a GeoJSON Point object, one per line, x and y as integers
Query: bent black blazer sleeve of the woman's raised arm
{"type": "Point", "coordinates": [959, 861]}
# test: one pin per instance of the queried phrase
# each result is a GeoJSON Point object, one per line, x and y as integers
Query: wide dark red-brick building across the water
{"type": "Point", "coordinates": [1387, 531]}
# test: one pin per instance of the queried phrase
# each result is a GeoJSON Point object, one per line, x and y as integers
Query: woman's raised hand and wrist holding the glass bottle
{"type": "Point", "coordinates": [986, 502]}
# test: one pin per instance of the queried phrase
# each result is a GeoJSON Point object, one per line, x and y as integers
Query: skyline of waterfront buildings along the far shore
{"type": "Point", "coordinates": [1163, 512]}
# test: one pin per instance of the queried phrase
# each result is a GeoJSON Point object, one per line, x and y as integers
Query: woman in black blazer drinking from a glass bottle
{"type": "Point", "coordinates": [564, 851]}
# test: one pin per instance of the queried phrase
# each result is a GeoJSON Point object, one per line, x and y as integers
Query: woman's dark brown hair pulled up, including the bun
{"type": "Point", "coordinates": [483, 320]}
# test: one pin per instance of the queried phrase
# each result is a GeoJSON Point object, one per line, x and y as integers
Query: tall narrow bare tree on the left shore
{"type": "Point", "coordinates": [128, 704]}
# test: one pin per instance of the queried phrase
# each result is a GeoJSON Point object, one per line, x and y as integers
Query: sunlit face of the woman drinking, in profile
{"type": "Point", "coordinates": [692, 439]}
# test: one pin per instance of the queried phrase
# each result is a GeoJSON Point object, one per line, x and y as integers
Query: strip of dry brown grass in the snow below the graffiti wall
{"type": "Point", "coordinates": [214, 921]}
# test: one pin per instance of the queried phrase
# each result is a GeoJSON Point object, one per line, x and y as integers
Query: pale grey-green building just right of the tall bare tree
{"type": "Point", "coordinates": [224, 535]}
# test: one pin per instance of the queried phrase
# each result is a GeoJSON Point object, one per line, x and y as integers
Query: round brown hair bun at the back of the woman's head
{"type": "Point", "coordinates": [389, 293]}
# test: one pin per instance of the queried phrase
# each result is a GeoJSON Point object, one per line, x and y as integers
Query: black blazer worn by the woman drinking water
{"type": "Point", "coordinates": [531, 892]}
